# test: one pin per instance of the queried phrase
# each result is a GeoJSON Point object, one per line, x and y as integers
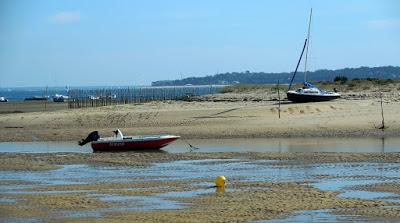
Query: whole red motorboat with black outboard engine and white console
{"type": "Point", "coordinates": [126, 143]}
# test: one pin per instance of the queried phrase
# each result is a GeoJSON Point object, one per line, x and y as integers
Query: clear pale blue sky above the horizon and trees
{"type": "Point", "coordinates": [67, 42]}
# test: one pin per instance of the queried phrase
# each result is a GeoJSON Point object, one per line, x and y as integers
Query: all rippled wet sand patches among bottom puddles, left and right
{"type": "Point", "coordinates": [247, 204]}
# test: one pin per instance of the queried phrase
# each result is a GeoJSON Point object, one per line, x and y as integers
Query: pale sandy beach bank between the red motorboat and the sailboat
{"type": "Point", "coordinates": [245, 115]}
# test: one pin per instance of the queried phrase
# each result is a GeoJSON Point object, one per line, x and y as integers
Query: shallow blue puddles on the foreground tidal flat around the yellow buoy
{"type": "Point", "coordinates": [338, 177]}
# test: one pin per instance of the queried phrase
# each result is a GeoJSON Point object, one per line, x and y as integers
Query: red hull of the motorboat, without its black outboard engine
{"type": "Point", "coordinates": [132, 144]}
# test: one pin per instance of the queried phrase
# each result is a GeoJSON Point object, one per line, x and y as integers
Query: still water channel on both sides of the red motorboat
{"type": "Point", "coordinates": [369, 144]}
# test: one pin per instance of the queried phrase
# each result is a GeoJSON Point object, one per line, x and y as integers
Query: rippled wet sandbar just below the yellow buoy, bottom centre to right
{"type": "Point", "coordinates": [282, 198]}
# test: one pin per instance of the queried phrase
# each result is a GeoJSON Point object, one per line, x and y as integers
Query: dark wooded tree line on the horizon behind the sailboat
{"type": "Point", "coordinates": [247, 77]}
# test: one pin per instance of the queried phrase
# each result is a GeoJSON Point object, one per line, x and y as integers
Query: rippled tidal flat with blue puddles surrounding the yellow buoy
{"type": "Point", "coordinates": [178, 187]}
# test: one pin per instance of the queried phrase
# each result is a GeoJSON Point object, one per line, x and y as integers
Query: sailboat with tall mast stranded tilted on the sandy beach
{"type": "Point", "coordinates": [309, 92]}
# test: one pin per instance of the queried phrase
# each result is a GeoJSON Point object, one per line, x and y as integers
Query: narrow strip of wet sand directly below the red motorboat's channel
{"type": "Point", "coordinates": [48, 161]}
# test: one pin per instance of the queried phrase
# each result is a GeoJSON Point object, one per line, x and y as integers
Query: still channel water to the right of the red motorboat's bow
{"type": "Point", "coordinates": [319, 144]}
